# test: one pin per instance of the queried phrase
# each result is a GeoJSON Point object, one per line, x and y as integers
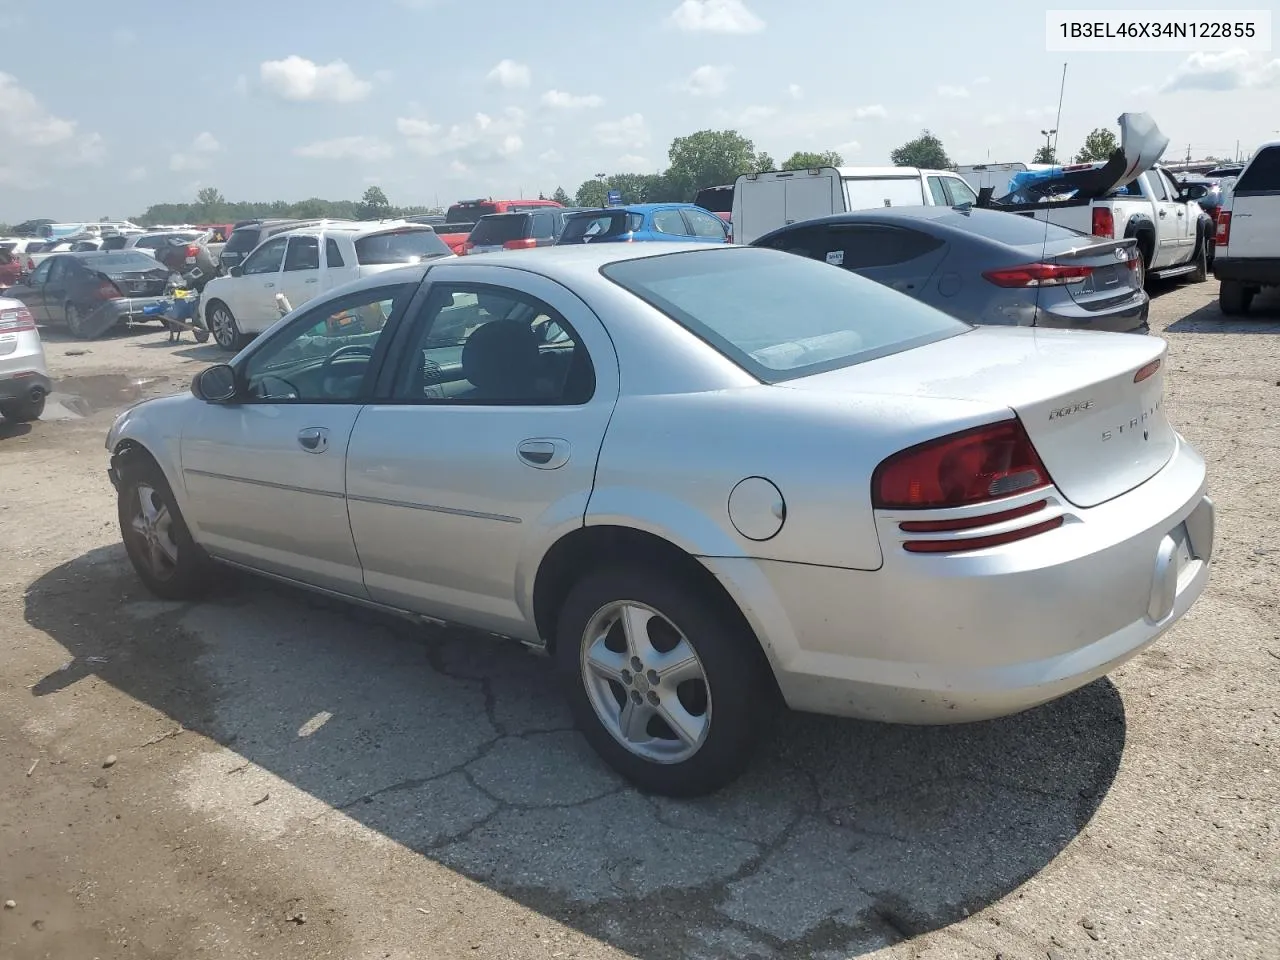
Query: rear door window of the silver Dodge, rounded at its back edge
{"type": "Point", "coordinates": [482, 345]}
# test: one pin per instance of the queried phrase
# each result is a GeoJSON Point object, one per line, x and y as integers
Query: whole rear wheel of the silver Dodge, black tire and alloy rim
{"type": "Point", "coordinates": [624, 714]}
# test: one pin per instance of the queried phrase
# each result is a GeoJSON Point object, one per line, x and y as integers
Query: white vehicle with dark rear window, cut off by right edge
{"type": "Point", "coordinates": [1247, 249]}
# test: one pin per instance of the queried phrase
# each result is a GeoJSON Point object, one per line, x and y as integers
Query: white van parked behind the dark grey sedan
{"type": "Point", "coordinates": [766, 202]}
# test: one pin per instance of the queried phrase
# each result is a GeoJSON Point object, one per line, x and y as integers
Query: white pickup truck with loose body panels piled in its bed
{"type": "Point", "coordinates": [1127, 196]}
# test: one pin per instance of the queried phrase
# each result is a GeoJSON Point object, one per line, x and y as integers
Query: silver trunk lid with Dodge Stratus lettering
{"type": "Point", "coordinates": [1099, 432]}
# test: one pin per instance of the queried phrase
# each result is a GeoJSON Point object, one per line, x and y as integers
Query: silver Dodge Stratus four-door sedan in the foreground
{"type": "Point", "coordinates": [703, 479]}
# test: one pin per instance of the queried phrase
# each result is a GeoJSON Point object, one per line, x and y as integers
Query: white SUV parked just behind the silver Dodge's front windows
{"type": "Point", "coordinates": [301, 264]}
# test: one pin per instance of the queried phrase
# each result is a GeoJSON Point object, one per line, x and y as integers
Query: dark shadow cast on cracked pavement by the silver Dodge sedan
{"type": "Point", "coordinates": [844, 836]}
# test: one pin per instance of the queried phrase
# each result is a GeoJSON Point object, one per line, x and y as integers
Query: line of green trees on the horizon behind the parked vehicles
{"type": "Point", "coordinates": [703, 159]}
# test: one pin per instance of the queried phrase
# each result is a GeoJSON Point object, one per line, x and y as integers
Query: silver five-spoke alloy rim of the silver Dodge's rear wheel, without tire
{"type": "Point", "coordinates": [646, 683]}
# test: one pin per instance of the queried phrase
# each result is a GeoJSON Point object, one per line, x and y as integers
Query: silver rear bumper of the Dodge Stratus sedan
{"type": "Point", "coordinates": [958, 638]}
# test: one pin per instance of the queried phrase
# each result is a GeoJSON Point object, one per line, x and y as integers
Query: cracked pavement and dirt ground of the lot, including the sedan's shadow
{"type": "Point", "coordinates": [268, 775]}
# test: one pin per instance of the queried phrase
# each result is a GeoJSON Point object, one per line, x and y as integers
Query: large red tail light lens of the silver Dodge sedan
{"type": "Point", "coordinates": [971, 467]}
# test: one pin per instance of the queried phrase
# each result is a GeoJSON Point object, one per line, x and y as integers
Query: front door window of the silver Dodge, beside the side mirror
{"type": "Point", "coordinates": [326, 355]}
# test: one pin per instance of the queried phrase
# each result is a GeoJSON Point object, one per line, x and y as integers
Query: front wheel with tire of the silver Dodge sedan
{"type": "Point", "coordinates": [166, 557]}
